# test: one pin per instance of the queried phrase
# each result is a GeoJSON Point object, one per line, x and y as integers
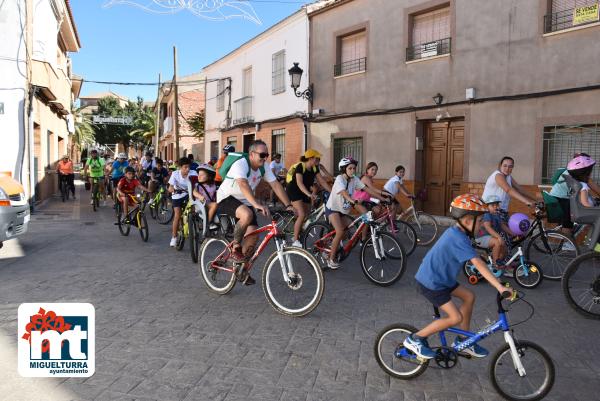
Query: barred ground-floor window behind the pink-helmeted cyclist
{"type": "Point", "coordinates": [560, 143]}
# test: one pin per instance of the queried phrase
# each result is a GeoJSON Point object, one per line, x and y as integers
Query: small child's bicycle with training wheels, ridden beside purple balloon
{"type": "Point", "coordinates": [527, 274]}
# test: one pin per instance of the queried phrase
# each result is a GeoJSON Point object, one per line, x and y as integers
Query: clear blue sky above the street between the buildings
{"type": "Point", "coordinates": [123, 43]}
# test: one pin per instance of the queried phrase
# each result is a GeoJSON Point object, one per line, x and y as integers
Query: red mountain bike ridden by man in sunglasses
{"type": "Point", "coordinates": [292, 280]}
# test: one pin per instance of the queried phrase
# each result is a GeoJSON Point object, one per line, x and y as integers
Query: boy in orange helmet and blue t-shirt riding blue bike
{"type": "Point", "coordinates": [436, 277]}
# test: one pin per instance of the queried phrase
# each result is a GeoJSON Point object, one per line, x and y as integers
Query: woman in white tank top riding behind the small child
{"type": "Point", "coordinates": [501, 184]}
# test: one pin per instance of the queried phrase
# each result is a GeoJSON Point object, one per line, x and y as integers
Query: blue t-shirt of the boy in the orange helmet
{"type": "Point", "coordinates": [445, 259]}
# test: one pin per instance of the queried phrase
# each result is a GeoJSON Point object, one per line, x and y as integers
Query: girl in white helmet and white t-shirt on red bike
{"type": "Point", "coordinates": [340, 202]}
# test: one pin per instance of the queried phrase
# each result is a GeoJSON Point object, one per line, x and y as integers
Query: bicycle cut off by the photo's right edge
{"type": "Point", "coordinates": [581, 281]}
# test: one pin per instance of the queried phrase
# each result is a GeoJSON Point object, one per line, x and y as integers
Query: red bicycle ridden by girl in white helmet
{"type": "Point", "coordinates": [375, 253]}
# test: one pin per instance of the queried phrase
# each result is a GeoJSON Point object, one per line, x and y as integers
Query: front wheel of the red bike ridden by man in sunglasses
{"type": "Point", "coordinates": [293, 282]}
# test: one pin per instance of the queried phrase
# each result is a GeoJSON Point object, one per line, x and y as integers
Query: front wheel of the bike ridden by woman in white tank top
{"type": "Point", "coordinates": [554, 251]}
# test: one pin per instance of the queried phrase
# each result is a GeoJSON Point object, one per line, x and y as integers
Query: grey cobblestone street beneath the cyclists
{"type": "Point", "coordinates": [161, 335]}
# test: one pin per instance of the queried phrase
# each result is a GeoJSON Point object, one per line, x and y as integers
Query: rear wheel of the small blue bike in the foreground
{"type": "Point", "coordinates": [393, 358]}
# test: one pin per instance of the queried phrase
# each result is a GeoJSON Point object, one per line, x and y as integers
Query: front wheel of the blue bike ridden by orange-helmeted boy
{"type": "Point", "coordinates": [538, 379]}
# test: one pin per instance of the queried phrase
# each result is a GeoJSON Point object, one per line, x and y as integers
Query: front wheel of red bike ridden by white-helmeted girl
{"type": "Point", "coordinates": [386, 269]}
